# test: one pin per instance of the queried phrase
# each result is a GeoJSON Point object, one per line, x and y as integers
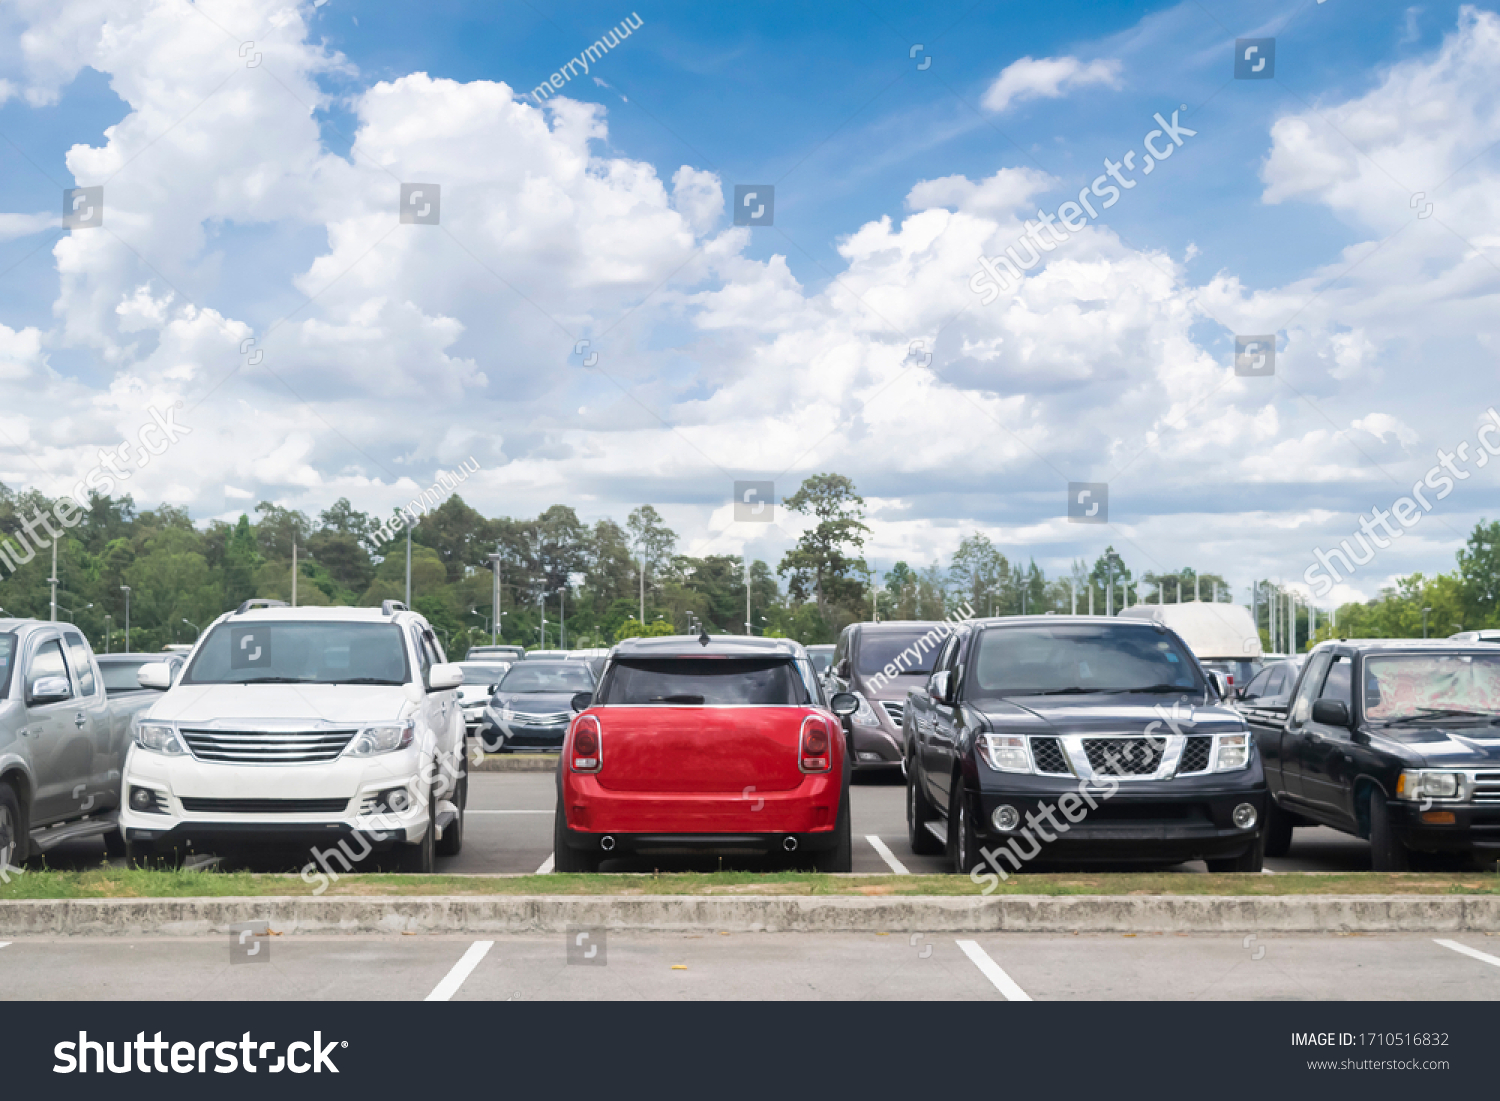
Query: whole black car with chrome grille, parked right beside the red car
{"type": "Point", "coordinates": [1108, 724]}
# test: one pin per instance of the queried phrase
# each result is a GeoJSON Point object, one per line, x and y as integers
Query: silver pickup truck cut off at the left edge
{"type": "Point", "coordinates": [62, 742]}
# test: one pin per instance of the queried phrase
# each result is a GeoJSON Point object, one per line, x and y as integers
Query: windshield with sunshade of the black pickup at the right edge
{"type": "Point", "coordinates": [1438, 686]}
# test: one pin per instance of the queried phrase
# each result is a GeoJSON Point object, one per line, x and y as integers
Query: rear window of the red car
{"type": "Point", "coordinates": [719, 682]}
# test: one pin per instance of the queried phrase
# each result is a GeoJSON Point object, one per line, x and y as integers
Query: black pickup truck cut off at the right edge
{"type": "Point", "coordinates": [1411, 760]}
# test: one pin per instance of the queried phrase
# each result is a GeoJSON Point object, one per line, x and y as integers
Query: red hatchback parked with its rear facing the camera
{"type": "Point", "coordinates": [706, 745]}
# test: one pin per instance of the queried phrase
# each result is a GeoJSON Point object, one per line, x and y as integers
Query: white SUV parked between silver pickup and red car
{"type": "Point", "coordinates": [302, 727]}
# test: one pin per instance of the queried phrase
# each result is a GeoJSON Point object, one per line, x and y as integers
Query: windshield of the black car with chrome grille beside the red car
{"type": "Point", "coordinates": [1079, 659]}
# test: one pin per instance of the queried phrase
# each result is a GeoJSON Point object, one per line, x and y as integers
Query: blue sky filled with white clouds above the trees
{"type": "Point", "coordinates": [238, 208]}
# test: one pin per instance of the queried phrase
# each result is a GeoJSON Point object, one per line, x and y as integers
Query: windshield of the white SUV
{"type": "Point", "coordinates": [301, 653]}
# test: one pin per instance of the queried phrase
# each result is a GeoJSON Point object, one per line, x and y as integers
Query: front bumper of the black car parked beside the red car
{"type": "Point", "coordinates": [1139, 823]}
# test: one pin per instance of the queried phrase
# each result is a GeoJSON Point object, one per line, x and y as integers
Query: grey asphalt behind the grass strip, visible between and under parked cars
{"type": "Point", "coordinates": [509, 830]}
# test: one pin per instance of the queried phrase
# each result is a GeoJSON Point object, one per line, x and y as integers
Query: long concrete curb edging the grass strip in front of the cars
{"type": "Point", "coordinates": [781, 914]}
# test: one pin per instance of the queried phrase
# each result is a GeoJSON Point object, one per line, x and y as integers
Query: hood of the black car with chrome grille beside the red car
{"type": "Point", "coordinates": [1114, 713]}
